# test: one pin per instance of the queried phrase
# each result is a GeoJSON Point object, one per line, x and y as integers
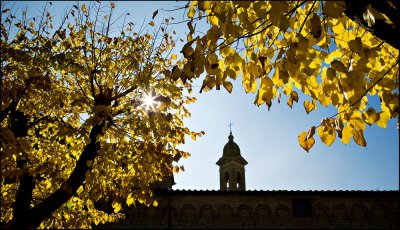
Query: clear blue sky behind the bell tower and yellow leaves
{"type": "Point", "coordinates": [268, 139]}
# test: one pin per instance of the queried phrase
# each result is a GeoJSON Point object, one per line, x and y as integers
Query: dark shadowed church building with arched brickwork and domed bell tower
{"type": "Point", "coordinates": [234, 207]}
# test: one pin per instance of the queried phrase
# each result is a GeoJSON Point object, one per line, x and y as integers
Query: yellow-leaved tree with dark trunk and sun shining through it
{"type": "Point", "coordinates": [75, 130]}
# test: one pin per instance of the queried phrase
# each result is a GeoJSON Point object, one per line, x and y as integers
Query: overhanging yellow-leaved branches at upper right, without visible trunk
{"type": "Point", "coordinates": [310, 45]}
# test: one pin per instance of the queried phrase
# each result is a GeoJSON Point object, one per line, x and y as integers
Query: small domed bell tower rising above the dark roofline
{"type": "Point", "coordinates": [231, 167]}
